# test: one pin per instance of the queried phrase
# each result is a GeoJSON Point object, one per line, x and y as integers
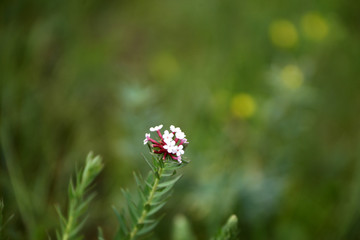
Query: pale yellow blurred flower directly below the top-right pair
{"type": "Point", "coordinates": [292, 76]}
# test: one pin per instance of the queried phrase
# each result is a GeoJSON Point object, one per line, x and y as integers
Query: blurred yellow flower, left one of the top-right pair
{"type": "Point", "coordinates": [283, 34]}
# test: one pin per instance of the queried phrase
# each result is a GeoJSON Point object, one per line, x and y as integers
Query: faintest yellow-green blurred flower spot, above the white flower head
{"type": "Point", "coordinates": [163, 66]}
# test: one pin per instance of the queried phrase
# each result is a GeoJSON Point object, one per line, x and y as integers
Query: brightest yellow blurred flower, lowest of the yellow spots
{"type": "Point", "coordinates": [243, 105]}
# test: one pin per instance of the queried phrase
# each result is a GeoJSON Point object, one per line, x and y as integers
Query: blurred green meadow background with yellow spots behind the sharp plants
{"type": "Point", "coordinates": [268, 93]}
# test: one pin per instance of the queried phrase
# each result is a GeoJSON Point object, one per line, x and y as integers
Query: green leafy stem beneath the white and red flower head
{"type": "Point", "coordinates": [153, 193]}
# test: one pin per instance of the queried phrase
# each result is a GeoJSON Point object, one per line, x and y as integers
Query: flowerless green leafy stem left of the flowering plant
{"type": "Point", "coordinates": [71, 225]}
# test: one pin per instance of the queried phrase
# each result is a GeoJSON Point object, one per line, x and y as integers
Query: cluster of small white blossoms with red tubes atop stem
{"type": "Point", "coordinates": [170, 145]}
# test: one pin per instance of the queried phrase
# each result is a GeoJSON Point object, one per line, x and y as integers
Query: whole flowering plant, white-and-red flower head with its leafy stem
{"type": "Point", "coordinates": [155, 189]}
